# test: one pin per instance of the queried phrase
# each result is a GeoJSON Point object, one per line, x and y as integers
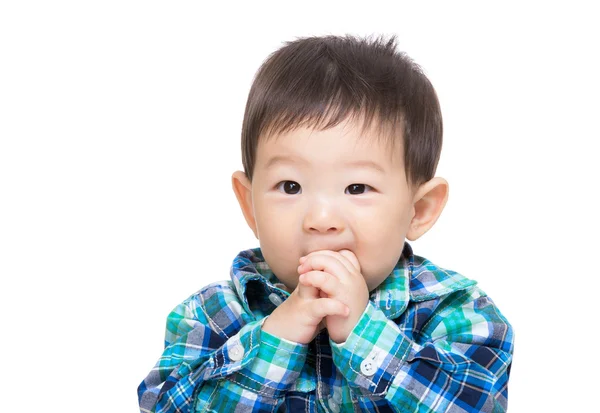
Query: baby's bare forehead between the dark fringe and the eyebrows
{"type": "Point", "coordinates": [344, 143]}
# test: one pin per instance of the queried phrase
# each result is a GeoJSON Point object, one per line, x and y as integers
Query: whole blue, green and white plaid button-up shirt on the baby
{"type": "Point", "coordinates": [429, 340]}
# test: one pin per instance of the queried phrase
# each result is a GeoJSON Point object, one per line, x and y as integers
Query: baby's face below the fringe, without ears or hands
{"type": "Point", "coordinates": [327, 202]}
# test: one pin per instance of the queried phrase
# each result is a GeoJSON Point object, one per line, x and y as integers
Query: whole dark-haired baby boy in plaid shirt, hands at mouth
{"type": "Point", "coordinates": [340, 143]}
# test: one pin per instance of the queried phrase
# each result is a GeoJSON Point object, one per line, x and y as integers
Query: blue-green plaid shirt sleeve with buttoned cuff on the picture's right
{"type": "Point", "coordinates": [452, 355]}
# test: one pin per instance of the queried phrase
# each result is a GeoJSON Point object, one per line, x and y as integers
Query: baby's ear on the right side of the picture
{"type": "Point", "coordinates": [428, 203]}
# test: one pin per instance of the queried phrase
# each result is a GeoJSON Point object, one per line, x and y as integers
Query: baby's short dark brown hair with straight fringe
{"type": "Point", "coordinates": [312, 79]}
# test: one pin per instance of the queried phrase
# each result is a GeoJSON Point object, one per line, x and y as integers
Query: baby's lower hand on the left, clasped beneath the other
{"type": "Point", "coordinates": [300, 318]}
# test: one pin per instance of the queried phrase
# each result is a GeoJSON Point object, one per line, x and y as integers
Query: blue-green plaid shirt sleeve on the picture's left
{"type": "Point", "coordinates": [216, 356]}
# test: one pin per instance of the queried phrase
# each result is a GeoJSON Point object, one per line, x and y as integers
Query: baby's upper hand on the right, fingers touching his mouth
{"type": "Point", "coordinates": [338, 276]}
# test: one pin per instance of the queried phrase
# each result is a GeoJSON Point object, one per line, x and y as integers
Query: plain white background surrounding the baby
{"type": "Point", "coordinates": [120, 128]}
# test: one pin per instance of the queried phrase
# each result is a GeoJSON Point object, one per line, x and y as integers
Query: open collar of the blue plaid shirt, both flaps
{"type": "Point", "coordinates": [414, 278]}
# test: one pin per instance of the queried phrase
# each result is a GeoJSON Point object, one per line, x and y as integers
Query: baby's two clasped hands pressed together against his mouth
{"type": "Point", "coordinates": [331, 293]}
